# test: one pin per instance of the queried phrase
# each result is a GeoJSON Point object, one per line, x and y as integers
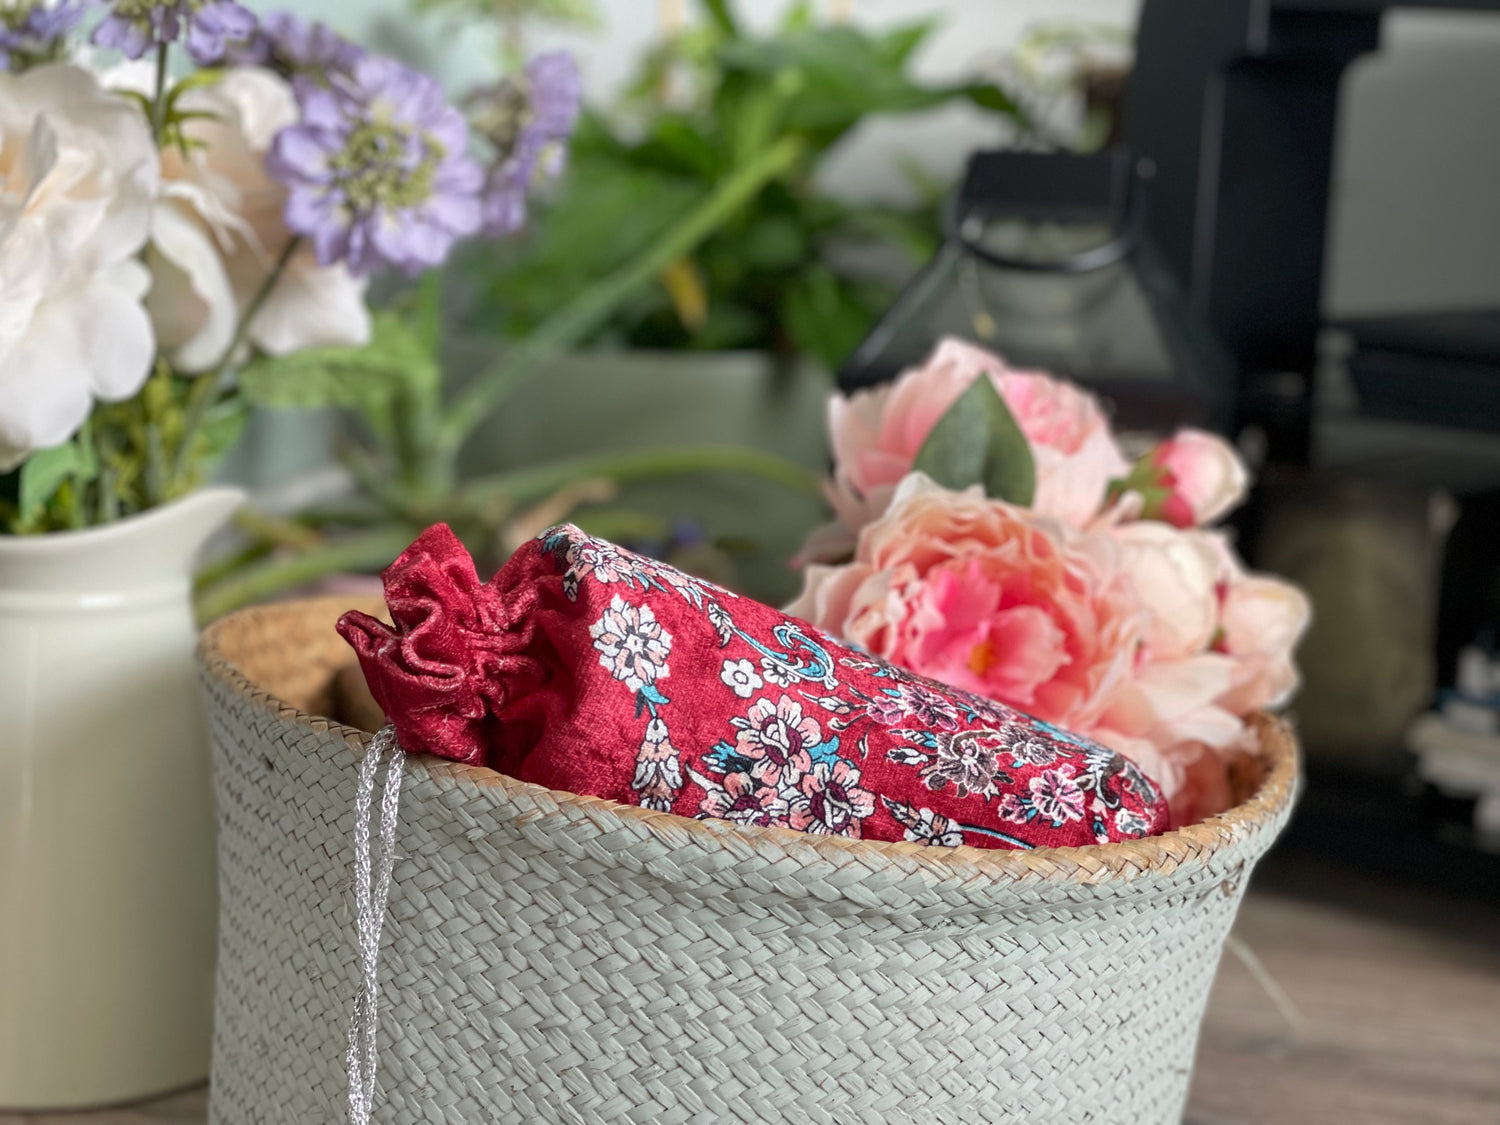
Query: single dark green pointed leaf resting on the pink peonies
{"type": "Point", "coordinates": [977, 442]}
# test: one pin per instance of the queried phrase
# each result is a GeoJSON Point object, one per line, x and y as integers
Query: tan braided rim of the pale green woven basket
{"type": "Point", "coordinates": [1094, 863]}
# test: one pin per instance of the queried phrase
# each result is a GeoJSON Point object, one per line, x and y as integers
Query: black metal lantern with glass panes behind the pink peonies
{"type": "Point", "coordinates": [1046, 263]}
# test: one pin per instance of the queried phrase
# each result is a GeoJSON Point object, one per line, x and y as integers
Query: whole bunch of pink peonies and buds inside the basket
{"type": "Point", "coordinates": [1106, 607]}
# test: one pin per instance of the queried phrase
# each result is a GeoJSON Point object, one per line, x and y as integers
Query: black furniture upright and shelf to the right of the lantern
{"type": "Point", "coordinates": [1235, 104]}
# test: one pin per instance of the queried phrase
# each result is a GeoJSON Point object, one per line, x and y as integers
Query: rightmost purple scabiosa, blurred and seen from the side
{"type": "Point", "coordinates": [527, 125]}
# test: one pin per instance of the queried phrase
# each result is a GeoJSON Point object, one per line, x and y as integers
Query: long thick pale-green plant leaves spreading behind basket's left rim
{"type": "Point", "coordinates": [407, 467]}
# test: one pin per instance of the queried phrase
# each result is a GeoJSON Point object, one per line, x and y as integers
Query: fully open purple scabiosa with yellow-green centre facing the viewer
{"type": "Point", "coordinates": [379, 170]}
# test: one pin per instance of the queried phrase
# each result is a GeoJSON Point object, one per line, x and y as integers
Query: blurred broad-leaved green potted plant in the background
{"type": "Point", "coordinates": [791, 274]}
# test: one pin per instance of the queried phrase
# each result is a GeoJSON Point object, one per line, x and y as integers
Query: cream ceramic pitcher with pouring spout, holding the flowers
{"type": "Point", "coordinates": [107, 829]}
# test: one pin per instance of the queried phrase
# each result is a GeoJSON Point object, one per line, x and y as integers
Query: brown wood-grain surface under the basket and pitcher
{"type": "Point", "coordinates": [1397, 1016]}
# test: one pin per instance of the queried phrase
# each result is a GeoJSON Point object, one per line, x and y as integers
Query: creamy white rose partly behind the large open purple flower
{"type": "Point", "coordinates": [220, 232]}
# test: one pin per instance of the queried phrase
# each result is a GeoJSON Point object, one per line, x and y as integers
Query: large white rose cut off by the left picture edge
{"type": "Point", "coordinates": [77, 179]}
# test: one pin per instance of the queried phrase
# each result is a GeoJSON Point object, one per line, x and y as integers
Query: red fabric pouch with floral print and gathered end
{"type": "Point", "coordinates": [587, 668]}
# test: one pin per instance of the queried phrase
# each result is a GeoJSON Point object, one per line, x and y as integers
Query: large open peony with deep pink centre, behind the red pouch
{"type": "Point", "coordinates": [989, 598]}
